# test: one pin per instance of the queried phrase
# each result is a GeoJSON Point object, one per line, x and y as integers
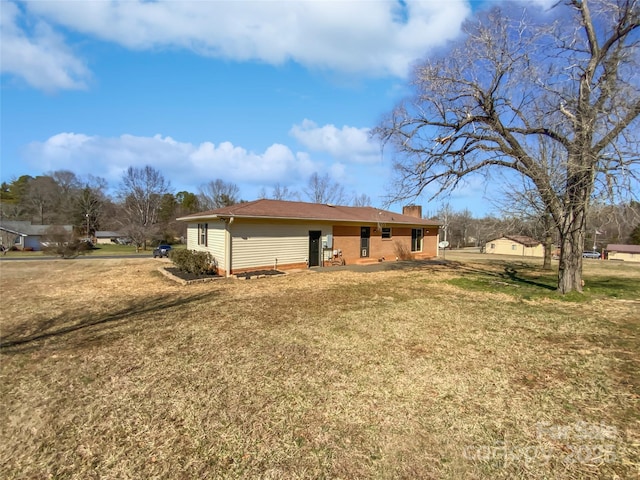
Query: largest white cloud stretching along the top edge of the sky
{"type": "Point", "coordinates": [371, 37]}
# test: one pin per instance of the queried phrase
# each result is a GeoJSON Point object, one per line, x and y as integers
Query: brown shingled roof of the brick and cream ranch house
{"type": "Point", "coordinates": [280, 209]}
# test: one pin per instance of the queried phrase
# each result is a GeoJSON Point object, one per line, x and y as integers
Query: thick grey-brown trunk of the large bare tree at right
{"type": "Point", "coordinates": [572, 237]}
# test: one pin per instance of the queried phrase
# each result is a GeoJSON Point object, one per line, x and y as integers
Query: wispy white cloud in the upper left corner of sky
{"type": "Point", "coordinates": [39, 56]}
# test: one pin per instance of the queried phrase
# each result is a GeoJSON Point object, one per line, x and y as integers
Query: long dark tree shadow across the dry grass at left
{"type": "Point", "coordinates": [46, 328]}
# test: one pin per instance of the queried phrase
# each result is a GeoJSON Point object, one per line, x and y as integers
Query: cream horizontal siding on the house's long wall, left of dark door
{"type": "Point", "coordinates": [264, 244]}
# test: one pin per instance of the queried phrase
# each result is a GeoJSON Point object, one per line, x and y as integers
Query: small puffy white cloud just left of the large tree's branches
{"type": "Point", "coordinates": [348, 143]}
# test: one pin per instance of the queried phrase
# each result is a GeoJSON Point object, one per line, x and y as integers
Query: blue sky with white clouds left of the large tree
{"type": "Point", "coordinates": [255, 93]}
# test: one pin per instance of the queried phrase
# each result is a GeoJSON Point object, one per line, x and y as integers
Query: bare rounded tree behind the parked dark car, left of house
{"type": "Point", "coordinates": [141, 192]}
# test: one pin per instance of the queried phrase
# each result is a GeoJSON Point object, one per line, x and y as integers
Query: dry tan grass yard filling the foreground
{"type": "Point", "coordinates": [475, 369]}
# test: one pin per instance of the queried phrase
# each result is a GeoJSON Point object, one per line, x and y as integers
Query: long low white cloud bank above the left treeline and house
{"type": "Point", "coordinates": [186, 165]}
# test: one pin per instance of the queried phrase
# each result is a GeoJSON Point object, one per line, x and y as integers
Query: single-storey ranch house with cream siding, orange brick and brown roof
{"type": "Point", "coordinates": [267, 234]}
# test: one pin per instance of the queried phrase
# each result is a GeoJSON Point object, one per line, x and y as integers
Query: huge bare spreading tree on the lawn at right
{"type": "Point", "coordinates": [489, 102]}
